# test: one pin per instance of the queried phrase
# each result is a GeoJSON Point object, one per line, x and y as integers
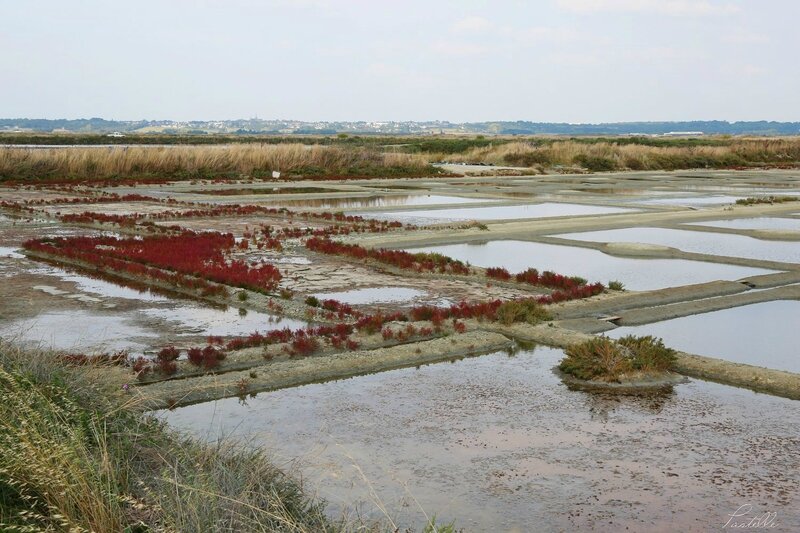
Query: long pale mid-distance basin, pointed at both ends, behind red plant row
{"type": "Point", "coordinates": [635, 274]}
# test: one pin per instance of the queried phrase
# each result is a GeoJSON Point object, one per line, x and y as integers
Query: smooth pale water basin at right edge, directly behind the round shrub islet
{"type": "Point", "coordinates": [761, 334]}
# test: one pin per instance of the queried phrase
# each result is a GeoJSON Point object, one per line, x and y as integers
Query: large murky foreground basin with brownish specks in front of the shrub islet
{"type": "Point", "coordinates": [498, 443]}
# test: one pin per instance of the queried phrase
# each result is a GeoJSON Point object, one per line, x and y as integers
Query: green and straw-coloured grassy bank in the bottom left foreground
{"type": "Point", "coordinates": [78, 455]}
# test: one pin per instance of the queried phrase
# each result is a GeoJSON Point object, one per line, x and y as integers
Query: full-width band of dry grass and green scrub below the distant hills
{"type": "Point", "coordinates": [365, 157]}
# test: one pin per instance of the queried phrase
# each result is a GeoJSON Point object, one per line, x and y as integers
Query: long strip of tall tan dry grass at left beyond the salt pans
{"type": "Point", "coordinates": [224, 161]}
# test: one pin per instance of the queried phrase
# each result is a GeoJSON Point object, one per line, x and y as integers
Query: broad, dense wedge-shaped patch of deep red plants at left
{"type": "Point", "coordinates": [201, 255]}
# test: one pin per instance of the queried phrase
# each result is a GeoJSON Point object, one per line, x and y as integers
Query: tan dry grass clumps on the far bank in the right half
{"type": "Point", "coordinates": [614, 156]}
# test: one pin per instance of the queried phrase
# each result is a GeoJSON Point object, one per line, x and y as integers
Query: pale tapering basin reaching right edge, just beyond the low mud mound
{"type": "Point", "coordinates": [698, 242]}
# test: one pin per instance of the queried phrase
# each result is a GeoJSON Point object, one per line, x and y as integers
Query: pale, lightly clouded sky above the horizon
{"type": "Point", "coordinates": [574, 61]}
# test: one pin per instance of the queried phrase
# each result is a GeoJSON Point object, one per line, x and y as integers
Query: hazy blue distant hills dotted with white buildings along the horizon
{"type": "Point", "coordinates": [261, 126]}
